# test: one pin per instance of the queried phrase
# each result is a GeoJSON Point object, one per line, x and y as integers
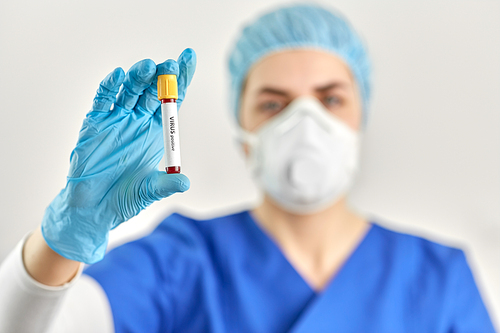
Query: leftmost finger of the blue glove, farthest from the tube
{"type": "Point", "coordinates": [108, 88]}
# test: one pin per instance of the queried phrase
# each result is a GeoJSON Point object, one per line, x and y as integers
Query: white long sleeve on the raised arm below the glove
{"type": "Point", "coordinates": [27, 306]}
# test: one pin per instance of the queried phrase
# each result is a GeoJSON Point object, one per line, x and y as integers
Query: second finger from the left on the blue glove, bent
{"type": "Point", "coordinates": [138, 79]}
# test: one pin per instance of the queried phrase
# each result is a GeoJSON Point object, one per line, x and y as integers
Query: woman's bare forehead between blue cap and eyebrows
{"type": "Point", "coordinates": [298, 69]}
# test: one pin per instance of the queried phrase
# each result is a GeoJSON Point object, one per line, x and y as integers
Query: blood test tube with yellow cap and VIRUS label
{"type": "Point", "coordinates": [167, 94]}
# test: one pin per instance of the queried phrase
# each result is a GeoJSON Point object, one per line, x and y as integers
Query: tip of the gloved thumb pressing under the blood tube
{"type": "Point", "coordinates": [164, 184]}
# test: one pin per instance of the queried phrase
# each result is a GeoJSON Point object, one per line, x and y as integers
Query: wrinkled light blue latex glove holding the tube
{"type": "Point", "coordinates": [114, 168]}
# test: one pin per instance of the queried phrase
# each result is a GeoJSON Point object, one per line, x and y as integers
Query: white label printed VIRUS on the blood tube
{"type": "Point", "coordinates": [171, 134]}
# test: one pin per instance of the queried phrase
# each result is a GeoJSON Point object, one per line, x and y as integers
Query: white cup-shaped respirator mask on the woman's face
{"type": "Point", "coordinates": [304, 158]}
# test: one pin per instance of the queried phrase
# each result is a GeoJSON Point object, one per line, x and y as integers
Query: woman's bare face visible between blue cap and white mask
{"type": "Point", "coordinates": [278, 79]}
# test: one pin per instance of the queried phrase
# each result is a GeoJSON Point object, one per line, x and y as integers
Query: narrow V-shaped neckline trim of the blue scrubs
{"type": "Point", "coordinates": [351, 257]}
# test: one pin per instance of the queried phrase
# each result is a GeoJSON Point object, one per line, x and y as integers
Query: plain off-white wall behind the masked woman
{"type": "Point", "coordinates": [431, 161]}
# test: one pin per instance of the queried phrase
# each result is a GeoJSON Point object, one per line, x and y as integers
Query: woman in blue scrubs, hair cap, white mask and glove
{"type": "Point", "coordinates": [300, 261]}
